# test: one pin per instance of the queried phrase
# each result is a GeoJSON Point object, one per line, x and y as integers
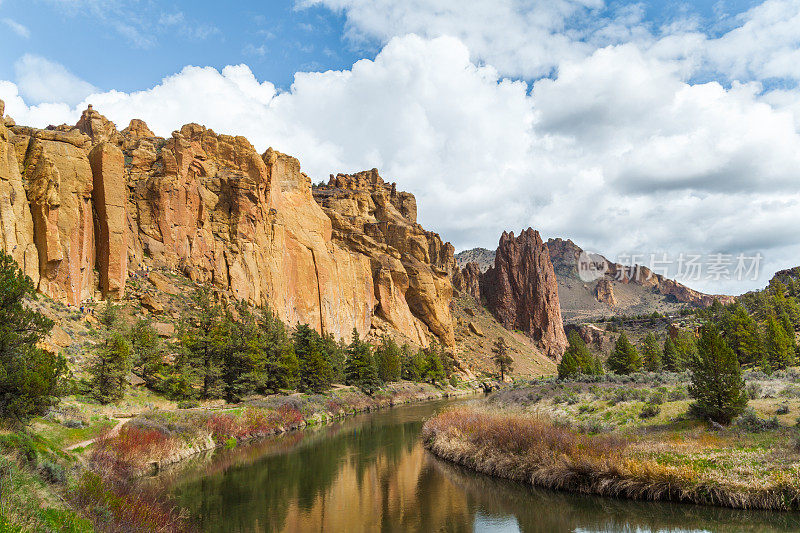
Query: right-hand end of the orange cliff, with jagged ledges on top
{"type": "Point", "coordinates": [410, 267]}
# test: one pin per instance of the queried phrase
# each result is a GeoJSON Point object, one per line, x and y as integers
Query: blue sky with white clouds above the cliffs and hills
{"type": "Point", "coordinates": [627, 127]}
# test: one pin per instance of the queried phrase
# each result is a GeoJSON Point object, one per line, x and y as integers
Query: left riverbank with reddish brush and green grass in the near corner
{"type": "Point", "coordinates": [45, 485]}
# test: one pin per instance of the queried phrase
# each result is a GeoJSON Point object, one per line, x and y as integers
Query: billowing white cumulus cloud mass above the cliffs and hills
{"type": "Point", "coordinates": [618, 150]}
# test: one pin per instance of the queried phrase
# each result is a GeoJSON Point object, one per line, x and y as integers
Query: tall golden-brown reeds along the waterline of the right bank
{"type": "Point", "coordinates": [535, 450]}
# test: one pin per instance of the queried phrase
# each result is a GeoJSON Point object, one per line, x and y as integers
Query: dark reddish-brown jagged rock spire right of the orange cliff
{"type": "Point", "coordinates": [522, 292]}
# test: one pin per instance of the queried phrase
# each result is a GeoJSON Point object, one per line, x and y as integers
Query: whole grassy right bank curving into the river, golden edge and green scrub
{"type": "Point", "coordinates": [623, 438]}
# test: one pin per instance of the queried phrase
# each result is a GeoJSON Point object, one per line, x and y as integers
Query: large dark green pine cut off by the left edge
{"type": "Point", "coordinates": [30, 378]}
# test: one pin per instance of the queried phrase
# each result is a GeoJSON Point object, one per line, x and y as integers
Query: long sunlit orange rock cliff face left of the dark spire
{"type": "Point", "coordinates": [83, 206]}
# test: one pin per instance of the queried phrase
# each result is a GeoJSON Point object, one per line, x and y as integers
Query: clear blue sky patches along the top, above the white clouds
{"type": "Point", "coordinates": [275, 38]}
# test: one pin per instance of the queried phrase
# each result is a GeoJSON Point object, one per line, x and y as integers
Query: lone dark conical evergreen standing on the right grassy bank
{"type": "Point", "coordinates": [716, 379]}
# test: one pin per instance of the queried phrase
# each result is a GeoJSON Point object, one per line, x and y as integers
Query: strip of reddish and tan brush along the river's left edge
{"type": "Point", "coordinates": [157, 439]}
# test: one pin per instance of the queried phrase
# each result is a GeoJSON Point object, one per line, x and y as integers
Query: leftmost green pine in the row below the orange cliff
{"type": "Point", "coordinates": [109, 368]}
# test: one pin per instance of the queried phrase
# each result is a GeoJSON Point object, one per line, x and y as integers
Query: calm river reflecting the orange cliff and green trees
{"type": "Point", "coordinates": [371, 473]}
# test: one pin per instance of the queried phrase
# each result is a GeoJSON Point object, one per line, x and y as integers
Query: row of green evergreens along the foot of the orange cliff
{"type": "Point", "coordinates": [234, 352]}
